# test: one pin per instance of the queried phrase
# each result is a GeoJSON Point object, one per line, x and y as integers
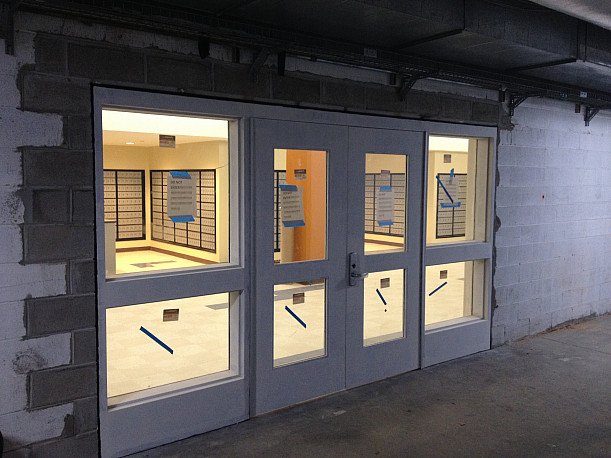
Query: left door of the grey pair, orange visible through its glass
{"type": "Point", "coordinates": [300, 251]}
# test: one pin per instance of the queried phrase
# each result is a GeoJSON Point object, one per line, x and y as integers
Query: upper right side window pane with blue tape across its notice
{"type": "Point", "coordinates": [457, 189]}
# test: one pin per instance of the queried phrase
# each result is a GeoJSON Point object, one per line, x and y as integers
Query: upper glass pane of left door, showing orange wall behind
{"type": "Point", "coordinates": [300, 211]}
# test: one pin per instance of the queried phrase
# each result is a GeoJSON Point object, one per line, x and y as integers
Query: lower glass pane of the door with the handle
{"type": "Point", "coordinates": [383, 307]}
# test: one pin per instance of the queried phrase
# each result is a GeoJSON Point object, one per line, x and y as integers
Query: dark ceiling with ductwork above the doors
{"type": "Point", "coordinates": [515, 44]}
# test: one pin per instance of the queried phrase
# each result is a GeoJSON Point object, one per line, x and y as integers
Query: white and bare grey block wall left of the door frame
{"type": "Point", "coordinates": [47, 302]}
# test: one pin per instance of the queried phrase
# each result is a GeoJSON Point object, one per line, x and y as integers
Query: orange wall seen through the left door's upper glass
{"type": "Point", "coordinates": [309, 240]}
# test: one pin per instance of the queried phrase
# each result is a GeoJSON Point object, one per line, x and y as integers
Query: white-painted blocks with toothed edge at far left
{"type": "Point", "coordinates": [17, 281]}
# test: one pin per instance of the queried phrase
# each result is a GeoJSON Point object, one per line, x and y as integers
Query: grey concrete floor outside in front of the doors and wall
{"type": "Point", "coordinates": [544, 396]}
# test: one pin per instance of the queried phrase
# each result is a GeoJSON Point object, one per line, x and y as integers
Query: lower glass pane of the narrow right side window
{"type": "Point", "coordinates": [454, 291]}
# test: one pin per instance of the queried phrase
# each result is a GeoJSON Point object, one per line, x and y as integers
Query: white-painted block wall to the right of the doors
{"type": "Point", "coordinates": [554, 203]}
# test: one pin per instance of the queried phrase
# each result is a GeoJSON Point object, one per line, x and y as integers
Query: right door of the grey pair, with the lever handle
{"type": "Point", "coordinates": [383, 230]}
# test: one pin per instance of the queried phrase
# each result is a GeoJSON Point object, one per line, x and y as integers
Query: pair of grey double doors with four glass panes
{"type": "Point", "coordinates": [321, 324]}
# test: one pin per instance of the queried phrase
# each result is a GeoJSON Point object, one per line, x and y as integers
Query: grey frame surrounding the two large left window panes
{"type": "Point", "coordinates": [200, 404]}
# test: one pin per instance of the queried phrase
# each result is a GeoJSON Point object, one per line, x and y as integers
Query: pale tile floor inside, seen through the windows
{"type": "Point", "coordinates": [199, 338]}
